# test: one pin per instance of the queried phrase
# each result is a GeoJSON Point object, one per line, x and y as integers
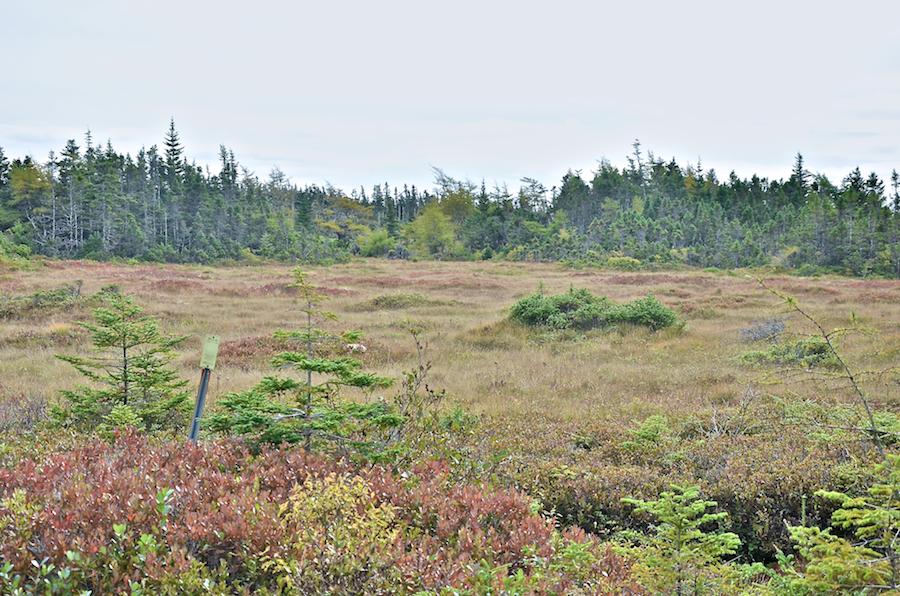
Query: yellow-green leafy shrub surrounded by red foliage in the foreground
{"type": "Point", "coordinates": [342, 540]}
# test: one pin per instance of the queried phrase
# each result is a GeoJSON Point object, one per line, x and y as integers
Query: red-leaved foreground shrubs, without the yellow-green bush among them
{"type": "Point", "coordinates": [226, 510]}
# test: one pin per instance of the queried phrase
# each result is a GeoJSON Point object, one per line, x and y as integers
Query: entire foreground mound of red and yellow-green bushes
{"type": "Point", "coordinates": [146, 518]}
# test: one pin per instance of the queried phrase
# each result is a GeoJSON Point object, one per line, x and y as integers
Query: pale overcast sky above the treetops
{"type": "Point", "coordinates": [361, 92]}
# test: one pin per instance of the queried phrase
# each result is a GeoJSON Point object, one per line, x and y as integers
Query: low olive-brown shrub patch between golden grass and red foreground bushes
{"type": "Point", "coordinates": [579, 471]}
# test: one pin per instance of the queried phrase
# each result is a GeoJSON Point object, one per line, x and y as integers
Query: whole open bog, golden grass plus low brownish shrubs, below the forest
{"type": "Point", "coordinates": [578, 420]}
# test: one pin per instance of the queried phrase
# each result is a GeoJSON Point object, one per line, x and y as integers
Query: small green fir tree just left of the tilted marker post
{"type": "Point", "coordinates": [137, 387]}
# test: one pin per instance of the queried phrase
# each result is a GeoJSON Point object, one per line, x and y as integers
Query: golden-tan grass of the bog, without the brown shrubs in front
{"type": "Point", "coordinates": [482, 360]}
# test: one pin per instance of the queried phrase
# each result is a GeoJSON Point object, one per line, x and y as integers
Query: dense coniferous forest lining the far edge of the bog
{"type": "Point", "coordinates": [91, 202]}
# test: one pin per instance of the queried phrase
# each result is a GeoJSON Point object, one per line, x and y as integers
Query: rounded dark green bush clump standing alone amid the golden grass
{"type": "Point", "coordinates": [579, 309]}
